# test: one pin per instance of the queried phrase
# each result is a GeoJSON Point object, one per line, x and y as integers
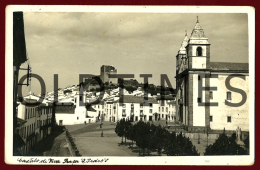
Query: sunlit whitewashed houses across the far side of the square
{"type": "Point", "coordinates": [113, 108]}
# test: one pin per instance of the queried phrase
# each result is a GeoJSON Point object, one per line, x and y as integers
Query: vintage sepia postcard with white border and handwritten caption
{"type": "Point", "coordinates": [130, 85]}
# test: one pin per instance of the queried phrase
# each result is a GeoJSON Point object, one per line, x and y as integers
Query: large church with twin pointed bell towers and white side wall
{"type": "Point", "coordinates": [209, 95]}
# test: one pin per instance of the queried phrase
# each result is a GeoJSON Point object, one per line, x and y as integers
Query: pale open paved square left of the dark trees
{"type": "Point", "coordinates": [90, 143]}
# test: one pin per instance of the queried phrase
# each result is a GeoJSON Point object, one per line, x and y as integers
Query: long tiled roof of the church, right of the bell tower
{"type": "Point", "coordinates": [228, 66]}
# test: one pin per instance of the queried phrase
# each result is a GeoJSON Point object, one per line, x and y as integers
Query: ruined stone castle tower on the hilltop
{"type": "Point", "coordinates": [105, 70]}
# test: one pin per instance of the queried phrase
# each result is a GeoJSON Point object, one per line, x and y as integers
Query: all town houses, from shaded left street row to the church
{"type": "Point", "coordinates": [35, 121]}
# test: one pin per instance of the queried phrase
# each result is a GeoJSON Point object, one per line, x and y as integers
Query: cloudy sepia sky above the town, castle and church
{"type": "Point", "coordinates": [73, 43]}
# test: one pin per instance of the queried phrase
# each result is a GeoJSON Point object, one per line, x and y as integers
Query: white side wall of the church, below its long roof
{"type": "Point", "coordinates": [239, 115]}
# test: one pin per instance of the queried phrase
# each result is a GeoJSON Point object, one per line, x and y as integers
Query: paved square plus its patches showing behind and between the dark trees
{"type": "Point", "coordinates": [90, 143]}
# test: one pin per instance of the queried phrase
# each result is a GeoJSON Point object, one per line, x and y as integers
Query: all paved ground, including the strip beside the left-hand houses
{"type": "Point", "coordinates": [90, 143]}
